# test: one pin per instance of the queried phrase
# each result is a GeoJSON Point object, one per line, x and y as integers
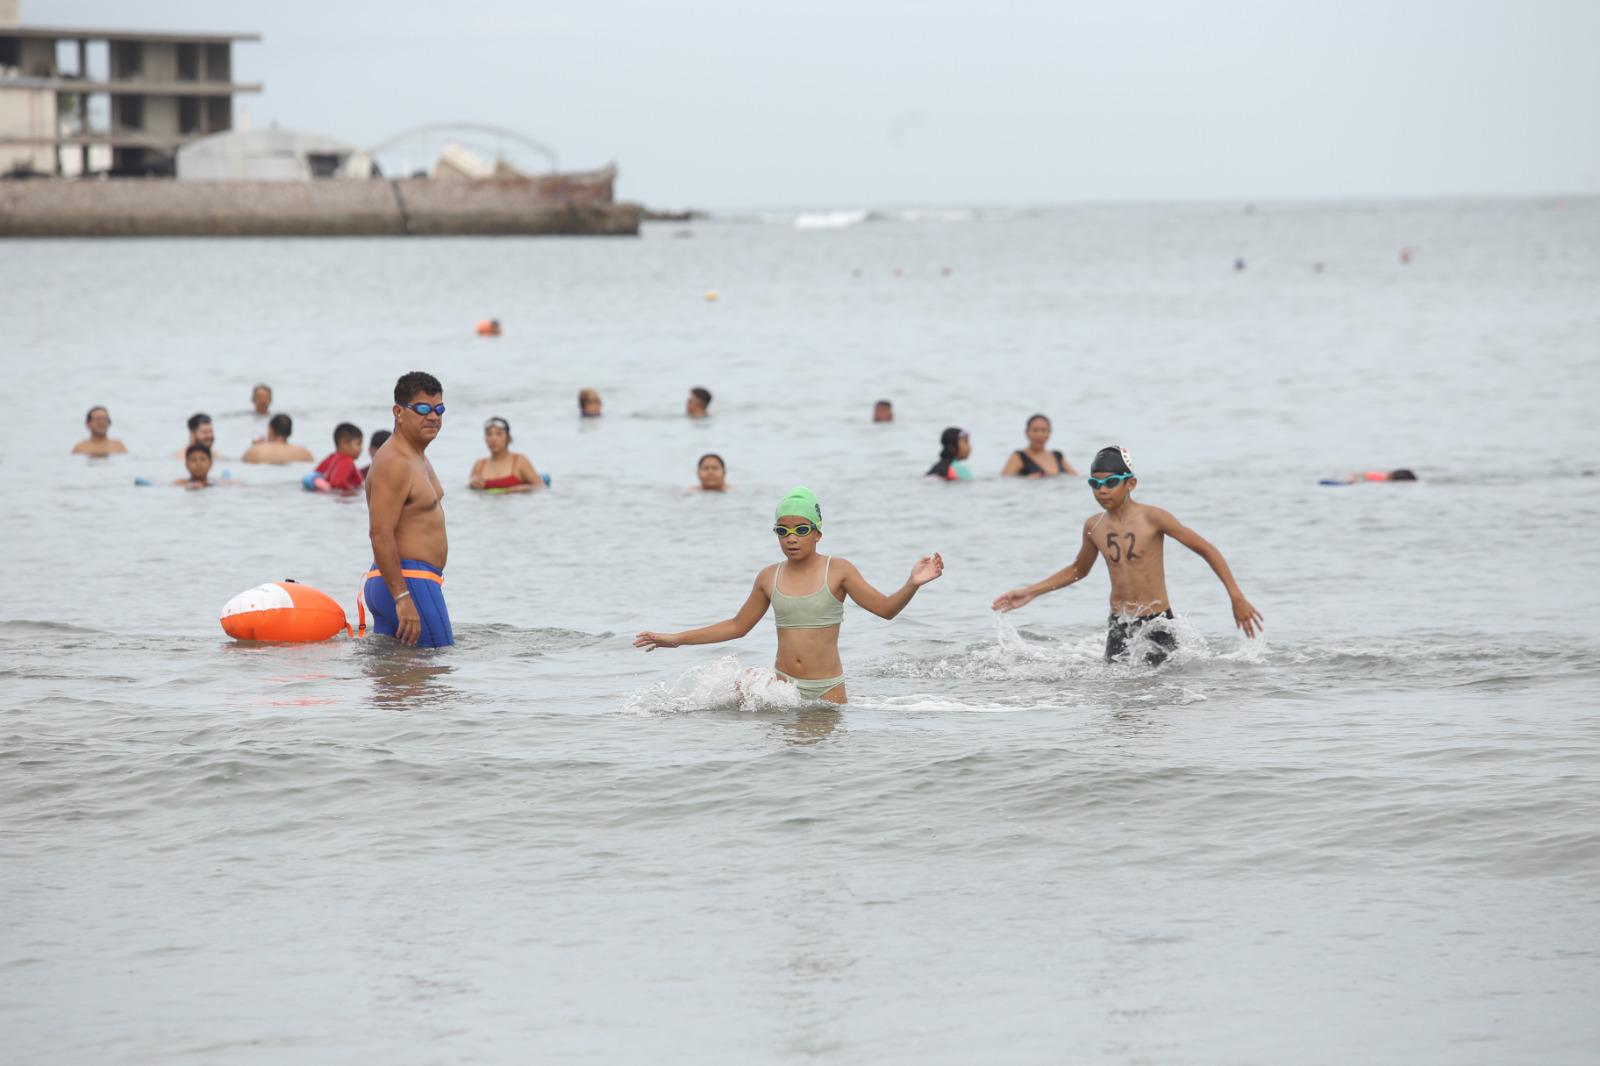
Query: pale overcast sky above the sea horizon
{"type": "Point", "coordinates": [740, 103]}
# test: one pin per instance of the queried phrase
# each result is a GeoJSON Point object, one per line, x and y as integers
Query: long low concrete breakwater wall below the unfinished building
{"type": "Point", "coordinates": [415, 207]}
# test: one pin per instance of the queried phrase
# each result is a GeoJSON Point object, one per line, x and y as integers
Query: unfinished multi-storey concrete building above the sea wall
{"type": "Point", "coordinates": [78, 102]}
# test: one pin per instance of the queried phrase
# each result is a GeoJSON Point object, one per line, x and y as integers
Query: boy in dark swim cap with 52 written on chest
{"type": "Point", "coordinates": [1130, 535]}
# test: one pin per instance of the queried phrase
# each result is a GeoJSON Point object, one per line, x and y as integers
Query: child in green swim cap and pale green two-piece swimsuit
{"type": "Point", "coordinates": [809, 603]}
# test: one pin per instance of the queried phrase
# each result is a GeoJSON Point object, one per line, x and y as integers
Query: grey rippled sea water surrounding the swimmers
{"type": "Point", "coordinates": [1370, 836]}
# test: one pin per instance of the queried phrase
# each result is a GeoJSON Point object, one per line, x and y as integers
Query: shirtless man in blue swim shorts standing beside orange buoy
{"type": "Point", "coordinates": [407, 523]}
